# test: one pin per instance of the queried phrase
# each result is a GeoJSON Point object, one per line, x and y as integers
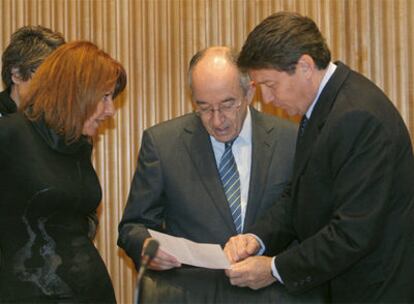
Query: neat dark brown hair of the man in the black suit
{"type": "Point", "coordinates": [280, 40]}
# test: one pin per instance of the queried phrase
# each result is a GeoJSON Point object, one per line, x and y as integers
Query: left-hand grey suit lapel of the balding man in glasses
{"type": "Point", "coordinates": [200, 151]}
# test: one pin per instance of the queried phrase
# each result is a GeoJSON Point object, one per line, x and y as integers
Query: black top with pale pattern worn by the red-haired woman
{"type": "Point", "coordinates": [47, 190]}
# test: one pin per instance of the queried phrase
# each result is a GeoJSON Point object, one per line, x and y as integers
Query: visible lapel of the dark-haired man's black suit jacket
{"type": "Point", "coordinates": [318, 118]}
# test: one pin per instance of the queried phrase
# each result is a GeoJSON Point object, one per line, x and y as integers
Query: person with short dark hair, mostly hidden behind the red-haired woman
{"type": "Point", "coordinates": [28, 47]}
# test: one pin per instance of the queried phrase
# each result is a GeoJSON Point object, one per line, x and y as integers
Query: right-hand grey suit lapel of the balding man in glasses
{"type": "Point", "coordinates": [261, 155]}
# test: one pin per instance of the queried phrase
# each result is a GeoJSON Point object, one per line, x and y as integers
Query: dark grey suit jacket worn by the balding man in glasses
{"type": "Point", "coordinates": [177, 189]}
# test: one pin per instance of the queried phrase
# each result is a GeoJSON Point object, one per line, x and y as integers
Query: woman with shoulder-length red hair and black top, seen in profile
{"type": "Point", "coordinates": [48, 185]}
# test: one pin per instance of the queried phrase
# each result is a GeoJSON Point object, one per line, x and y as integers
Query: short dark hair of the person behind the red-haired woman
{"type": "Point", "coordinates": [27, 49]}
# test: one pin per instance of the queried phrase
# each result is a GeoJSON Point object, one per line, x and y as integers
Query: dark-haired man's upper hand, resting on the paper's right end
{"type": "Point", "coordinates": [240, 247]}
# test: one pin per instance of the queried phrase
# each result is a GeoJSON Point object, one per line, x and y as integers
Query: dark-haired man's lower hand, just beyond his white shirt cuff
{"type": "Point", "coordinates": [254, 272]}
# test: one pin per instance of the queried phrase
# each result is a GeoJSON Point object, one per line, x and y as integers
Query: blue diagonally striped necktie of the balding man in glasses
{"type": "Point", "coordinates": [231, 183]}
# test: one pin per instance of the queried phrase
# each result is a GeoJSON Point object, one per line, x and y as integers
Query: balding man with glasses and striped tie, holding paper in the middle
{"type": "Point", "coordinates": [177, 188]}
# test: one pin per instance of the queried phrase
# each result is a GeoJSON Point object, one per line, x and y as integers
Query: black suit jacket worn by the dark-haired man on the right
{"type": "Point", "coordinates": [351, 205]}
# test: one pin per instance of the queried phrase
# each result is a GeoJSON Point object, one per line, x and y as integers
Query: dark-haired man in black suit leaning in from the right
{"type": "Point", "coordinates": [351, 204]}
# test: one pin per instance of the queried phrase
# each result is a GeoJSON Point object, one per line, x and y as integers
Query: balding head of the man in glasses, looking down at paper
{"type": "Point", "coordinates": [220, 93]}
